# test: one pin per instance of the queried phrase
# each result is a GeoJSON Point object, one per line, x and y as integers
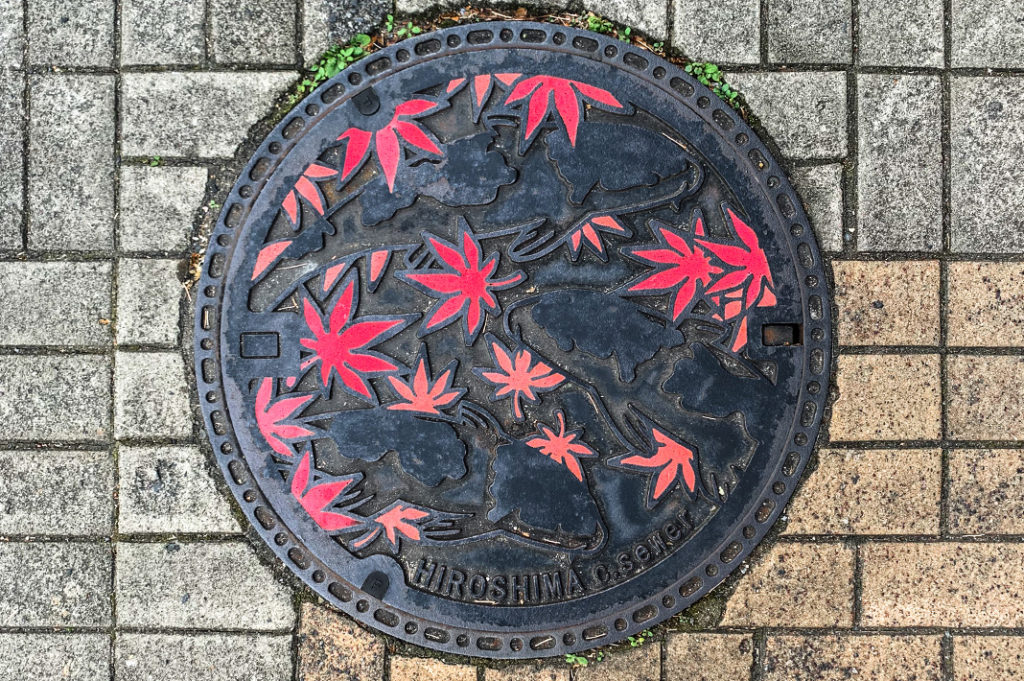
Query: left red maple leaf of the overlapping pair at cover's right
{"type": "Point", "coordinates": [680, 269]}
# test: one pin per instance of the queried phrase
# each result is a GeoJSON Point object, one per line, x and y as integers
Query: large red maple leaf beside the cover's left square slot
{"type": "Point", "coordinates": [342, 344]}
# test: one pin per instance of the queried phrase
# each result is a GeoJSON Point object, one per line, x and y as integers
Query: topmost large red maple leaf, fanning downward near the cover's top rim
{"type": "Point", "coordinates": [567, 96]}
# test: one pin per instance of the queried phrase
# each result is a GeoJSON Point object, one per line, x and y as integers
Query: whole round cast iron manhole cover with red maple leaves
{"type": "Point", "coordinates": [514, 340]}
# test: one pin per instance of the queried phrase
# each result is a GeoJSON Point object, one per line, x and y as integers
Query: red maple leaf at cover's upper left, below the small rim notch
{"type": "Point", "coordinates": [388, 142]}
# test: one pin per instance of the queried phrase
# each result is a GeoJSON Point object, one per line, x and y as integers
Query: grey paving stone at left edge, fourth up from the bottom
{"type": "Point", "coordinates": [59, 398]}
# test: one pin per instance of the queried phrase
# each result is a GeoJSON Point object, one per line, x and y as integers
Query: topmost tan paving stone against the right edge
{"type": "Point", "coordinates": [987, 305]}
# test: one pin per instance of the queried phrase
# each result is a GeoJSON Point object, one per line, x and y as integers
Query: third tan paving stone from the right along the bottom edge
{"type": "Point", "coordinates": [709, 658]}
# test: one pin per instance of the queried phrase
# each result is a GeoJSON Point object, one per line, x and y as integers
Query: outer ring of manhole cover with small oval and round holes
{"type": "Point", "coordinates": [603, 630]}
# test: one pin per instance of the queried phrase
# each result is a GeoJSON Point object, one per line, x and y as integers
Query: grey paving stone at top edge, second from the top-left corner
{"type": "Point", "coordinates": [71, 34]}
